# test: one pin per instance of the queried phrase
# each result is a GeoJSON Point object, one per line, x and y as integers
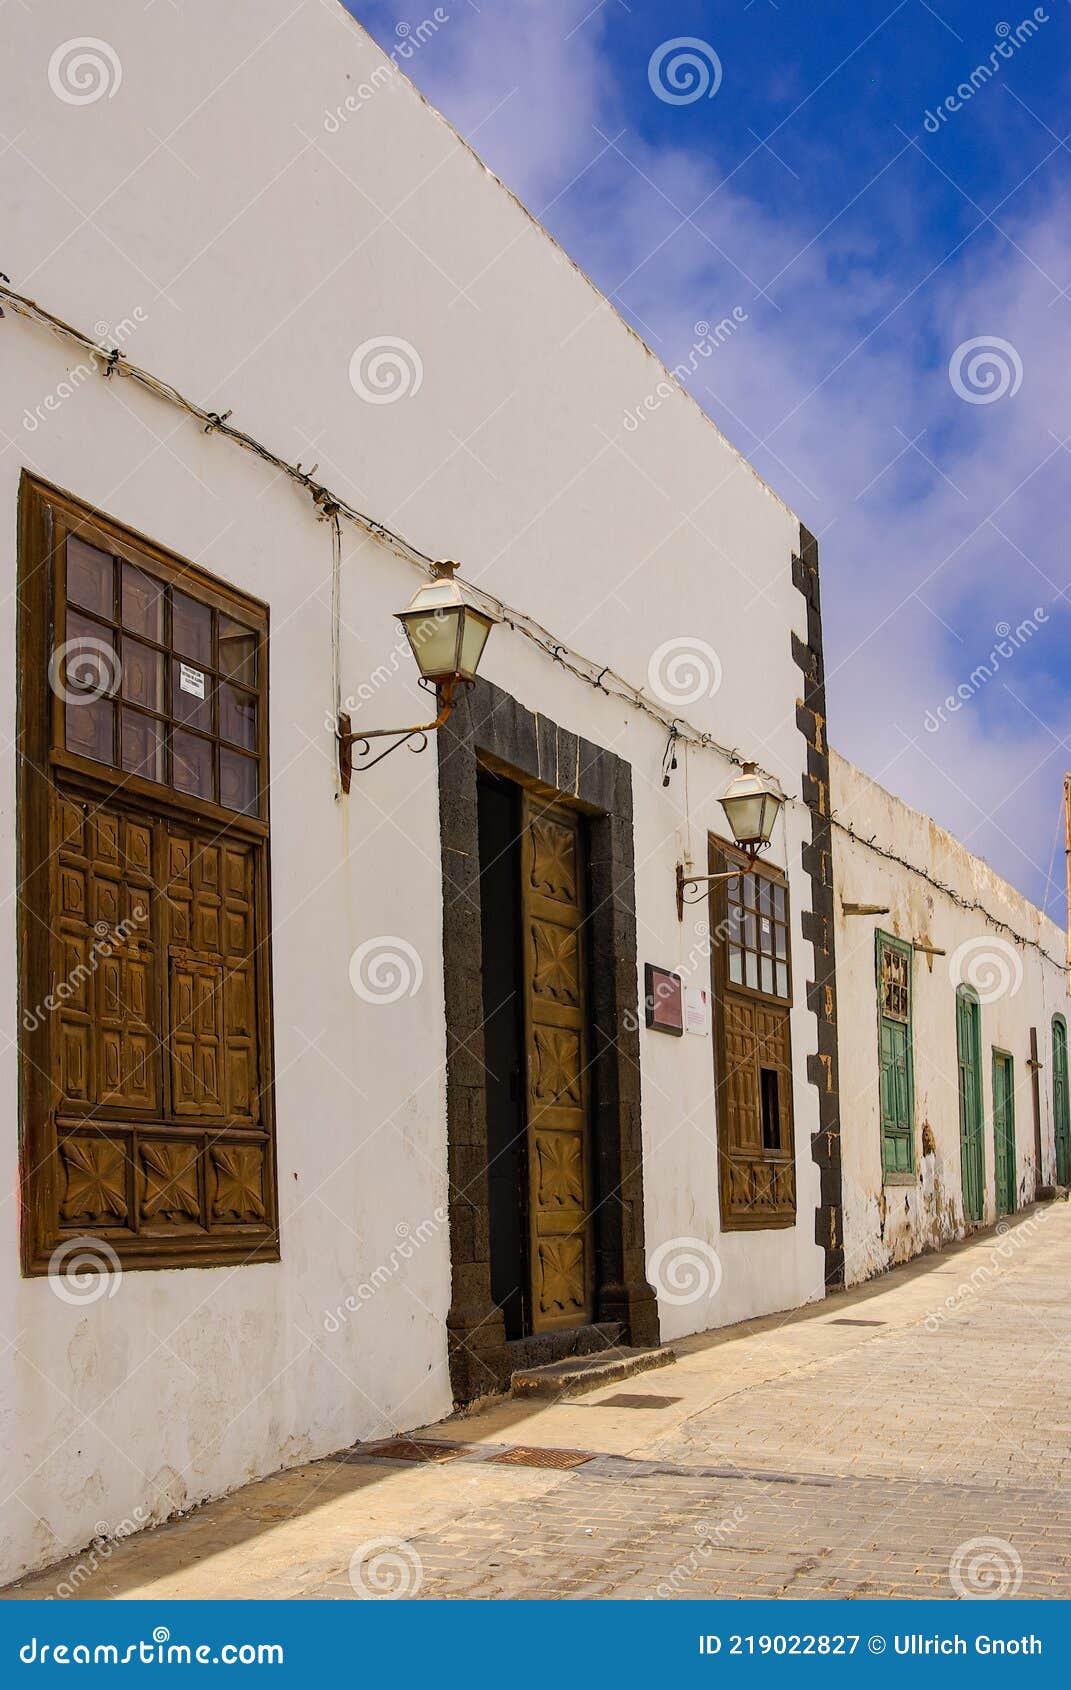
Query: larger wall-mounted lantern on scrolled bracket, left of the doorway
{"type": "Point", "coordinates": [447, 628]}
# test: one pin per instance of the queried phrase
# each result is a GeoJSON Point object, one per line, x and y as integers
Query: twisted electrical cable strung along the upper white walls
{"type": "Point", "coordinates": [334, 508]}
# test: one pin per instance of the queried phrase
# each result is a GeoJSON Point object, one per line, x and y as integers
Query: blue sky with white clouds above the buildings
{"type": "Point", "coordinates": [869, 232]}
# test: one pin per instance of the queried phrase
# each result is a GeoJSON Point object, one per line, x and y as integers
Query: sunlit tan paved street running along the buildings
{"type": "Point", "coordinates": [906, 1439]}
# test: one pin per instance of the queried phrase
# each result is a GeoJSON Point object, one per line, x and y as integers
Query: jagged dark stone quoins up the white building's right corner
{"type": "Point", "coordinates": [818, 922]}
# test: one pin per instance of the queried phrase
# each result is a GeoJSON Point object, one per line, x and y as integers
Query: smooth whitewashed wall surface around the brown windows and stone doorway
{"type": "Point", "coordinates": [212, 202]}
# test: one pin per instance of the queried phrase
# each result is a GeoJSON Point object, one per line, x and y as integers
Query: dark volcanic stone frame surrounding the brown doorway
{"type": "Point", "coordinates": [491, 728]}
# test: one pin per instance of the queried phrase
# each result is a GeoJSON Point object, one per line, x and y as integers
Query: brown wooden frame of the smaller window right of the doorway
{"type": "Point", "coordinates": [781, 1164]}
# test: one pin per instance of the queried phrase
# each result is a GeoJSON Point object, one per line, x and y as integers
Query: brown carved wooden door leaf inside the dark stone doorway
{"type": "Point", "coordinates": [557, 1042]}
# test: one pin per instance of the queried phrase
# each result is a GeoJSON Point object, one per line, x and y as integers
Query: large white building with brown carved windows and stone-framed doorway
{"type": "Point", "coordinates": [264, 1076]}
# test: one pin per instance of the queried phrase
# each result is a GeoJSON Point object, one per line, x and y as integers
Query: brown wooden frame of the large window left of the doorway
{"type": "Point", "coordinates": [45, 768]}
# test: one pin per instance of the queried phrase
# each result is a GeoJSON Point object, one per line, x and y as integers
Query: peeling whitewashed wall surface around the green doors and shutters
{"type": "Point", "coordinates": [1018, 986]}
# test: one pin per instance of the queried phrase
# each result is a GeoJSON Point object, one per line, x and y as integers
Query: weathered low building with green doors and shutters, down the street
{"type": "Point", "coordinates": [954, 1033]}
